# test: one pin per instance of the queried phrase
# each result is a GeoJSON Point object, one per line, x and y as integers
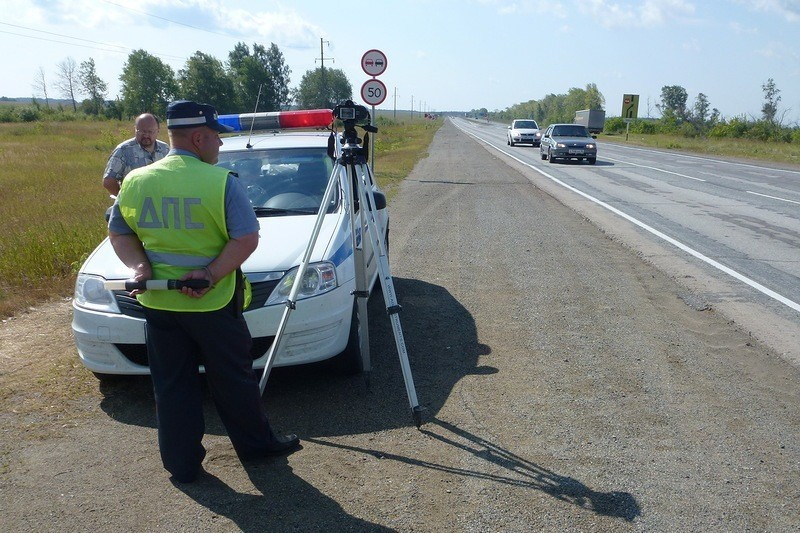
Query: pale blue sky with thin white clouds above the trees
{"type": "Point", "coordinates": [442, 55]}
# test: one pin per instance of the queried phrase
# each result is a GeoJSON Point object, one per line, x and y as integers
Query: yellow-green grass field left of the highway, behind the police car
{"type": "Point", "coordinates": [52, 201]}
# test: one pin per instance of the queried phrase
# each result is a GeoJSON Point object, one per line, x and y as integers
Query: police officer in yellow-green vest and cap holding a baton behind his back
{"type": "Point", "coordinates": [183, 218]}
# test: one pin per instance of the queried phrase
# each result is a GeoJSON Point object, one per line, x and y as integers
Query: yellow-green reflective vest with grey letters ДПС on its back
{"type": "Point", "coordinates": [176, 206]}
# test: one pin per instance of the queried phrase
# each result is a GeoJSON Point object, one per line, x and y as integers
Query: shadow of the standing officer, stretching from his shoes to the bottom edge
{"type": "Point", "coordinates": [283, 504]}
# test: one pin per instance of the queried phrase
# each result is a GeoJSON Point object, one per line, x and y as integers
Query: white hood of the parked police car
{"type": "Point", "coordinates": [283, 241]}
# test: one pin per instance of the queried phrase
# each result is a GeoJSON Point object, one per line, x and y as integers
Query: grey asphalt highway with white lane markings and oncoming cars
{"type": "Point", "coordinates": [736, 223]}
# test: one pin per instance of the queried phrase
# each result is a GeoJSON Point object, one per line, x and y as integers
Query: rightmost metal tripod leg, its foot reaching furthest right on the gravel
{"type": "Point", "coordinates": [376, 233]}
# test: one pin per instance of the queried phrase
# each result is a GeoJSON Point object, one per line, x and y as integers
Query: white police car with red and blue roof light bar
{"type": "Point", "coordinates": [285, 174]}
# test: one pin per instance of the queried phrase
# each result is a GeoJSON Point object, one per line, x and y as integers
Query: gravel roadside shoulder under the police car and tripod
{"type": "Point", "coordinates": [569, 386]}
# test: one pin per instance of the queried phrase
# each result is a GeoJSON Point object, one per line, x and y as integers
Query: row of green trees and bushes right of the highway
{"type": "Point", "coordinates": [699, 119]}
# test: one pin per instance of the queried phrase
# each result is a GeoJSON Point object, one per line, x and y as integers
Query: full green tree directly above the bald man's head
{"type": "Point", "coordinates": [148, 84]}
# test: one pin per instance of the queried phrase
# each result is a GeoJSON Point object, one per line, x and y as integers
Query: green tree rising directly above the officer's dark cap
{"type": "Point", "coordinates": [204, 79]}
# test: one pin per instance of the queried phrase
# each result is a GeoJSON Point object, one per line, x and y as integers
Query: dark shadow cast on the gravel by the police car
{"type": "Point", "coordinates": [315, 400]}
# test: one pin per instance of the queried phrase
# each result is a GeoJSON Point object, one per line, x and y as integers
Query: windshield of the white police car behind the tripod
{"type": "Point", "coordinates": [282, 181]}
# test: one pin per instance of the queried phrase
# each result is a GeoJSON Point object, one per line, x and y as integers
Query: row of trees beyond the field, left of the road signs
{"type": "Point", "coordinates": [250, 80]}
